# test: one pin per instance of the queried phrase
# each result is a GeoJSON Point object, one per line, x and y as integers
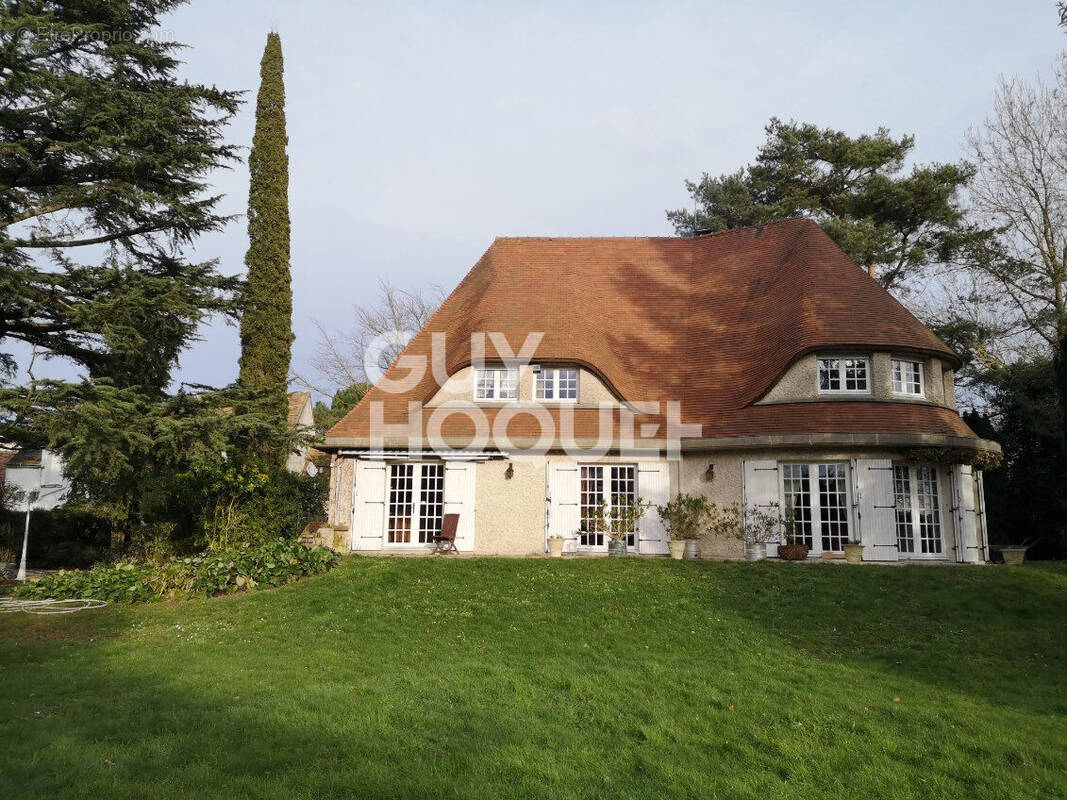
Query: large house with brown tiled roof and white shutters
{"type": "Point", "coordinates": [758, 366]}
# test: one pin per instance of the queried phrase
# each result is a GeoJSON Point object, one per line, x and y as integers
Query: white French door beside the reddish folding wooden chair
{"type": "Point", "coordinates": [417, 503]}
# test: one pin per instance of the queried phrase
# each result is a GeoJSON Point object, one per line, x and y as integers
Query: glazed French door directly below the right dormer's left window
{"type": "Point", "coordinates": [821, 513]}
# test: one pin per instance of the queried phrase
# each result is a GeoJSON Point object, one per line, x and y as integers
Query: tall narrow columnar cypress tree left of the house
{"type": "Point", "coordinates": [267, 318]}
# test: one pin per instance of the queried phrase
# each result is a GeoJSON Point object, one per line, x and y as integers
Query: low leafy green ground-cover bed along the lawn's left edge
{"type": "Point", "coordinates": [236, 570]}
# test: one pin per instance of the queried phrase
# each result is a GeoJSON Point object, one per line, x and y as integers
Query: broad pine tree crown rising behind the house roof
{"type": "Point", "coordinates": [891, 222]}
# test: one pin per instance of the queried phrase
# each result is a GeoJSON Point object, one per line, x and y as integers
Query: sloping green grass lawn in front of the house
{"type": "Point", "coordinates": [555, 679]}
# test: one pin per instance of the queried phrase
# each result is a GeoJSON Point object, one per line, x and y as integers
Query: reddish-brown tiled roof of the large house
{"type": "Point", "coordinates": [711, 322]}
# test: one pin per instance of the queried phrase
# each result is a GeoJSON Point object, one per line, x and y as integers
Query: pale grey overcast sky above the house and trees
{"type": "Point", "coordinates": [421, 132]}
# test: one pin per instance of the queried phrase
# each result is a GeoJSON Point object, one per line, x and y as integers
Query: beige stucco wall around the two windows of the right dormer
{"type": "Point", "coordinates": [801, 382]}
